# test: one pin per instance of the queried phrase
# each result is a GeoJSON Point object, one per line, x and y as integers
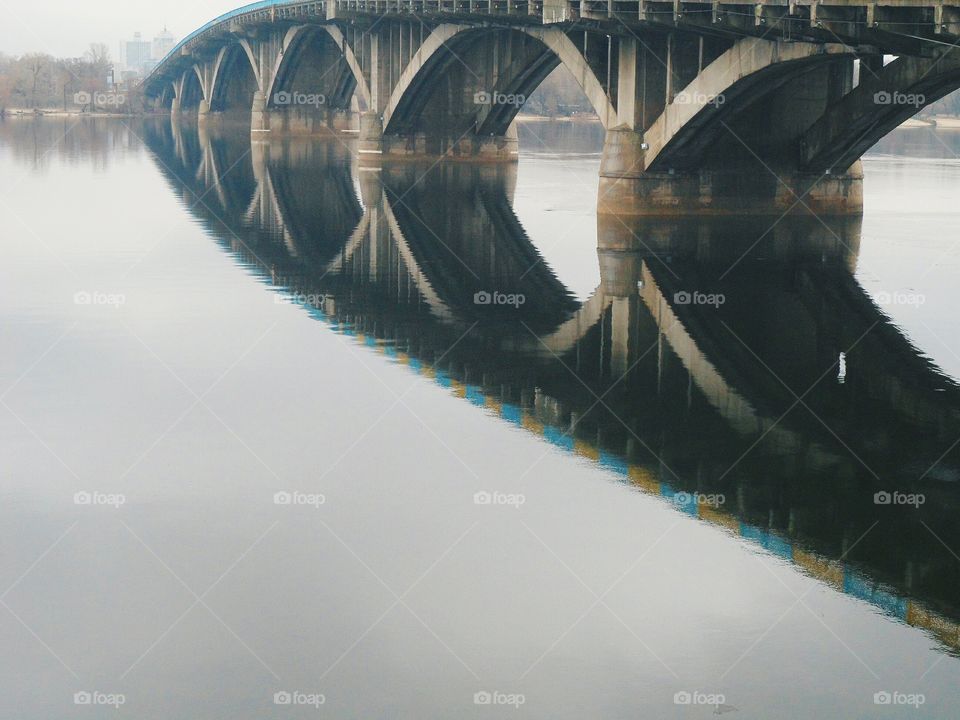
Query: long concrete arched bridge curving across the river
{"type": "Point", "coordinates": [709, 107]}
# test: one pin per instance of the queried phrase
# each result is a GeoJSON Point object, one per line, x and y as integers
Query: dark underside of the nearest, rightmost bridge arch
{"type": "Point", "coordinates": [800, 114]}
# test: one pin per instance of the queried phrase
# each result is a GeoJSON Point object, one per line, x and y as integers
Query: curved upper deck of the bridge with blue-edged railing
{"type": "Point", "coordinates": [824, 20]}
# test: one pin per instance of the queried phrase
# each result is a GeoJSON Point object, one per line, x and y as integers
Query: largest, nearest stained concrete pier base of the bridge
{"type": "Point", "coordinates": [627, 189]}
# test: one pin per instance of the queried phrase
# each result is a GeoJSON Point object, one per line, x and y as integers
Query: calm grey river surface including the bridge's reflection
{"type": "Point", "coordinates": [262, 433]}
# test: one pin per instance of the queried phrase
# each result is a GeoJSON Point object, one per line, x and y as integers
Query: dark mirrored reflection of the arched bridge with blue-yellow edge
{"type": "Point", "coordinates": [776, 415]}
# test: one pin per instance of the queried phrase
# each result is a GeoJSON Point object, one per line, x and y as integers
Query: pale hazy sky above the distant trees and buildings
{"type": "Point", "coordinates": [67, 27]}
